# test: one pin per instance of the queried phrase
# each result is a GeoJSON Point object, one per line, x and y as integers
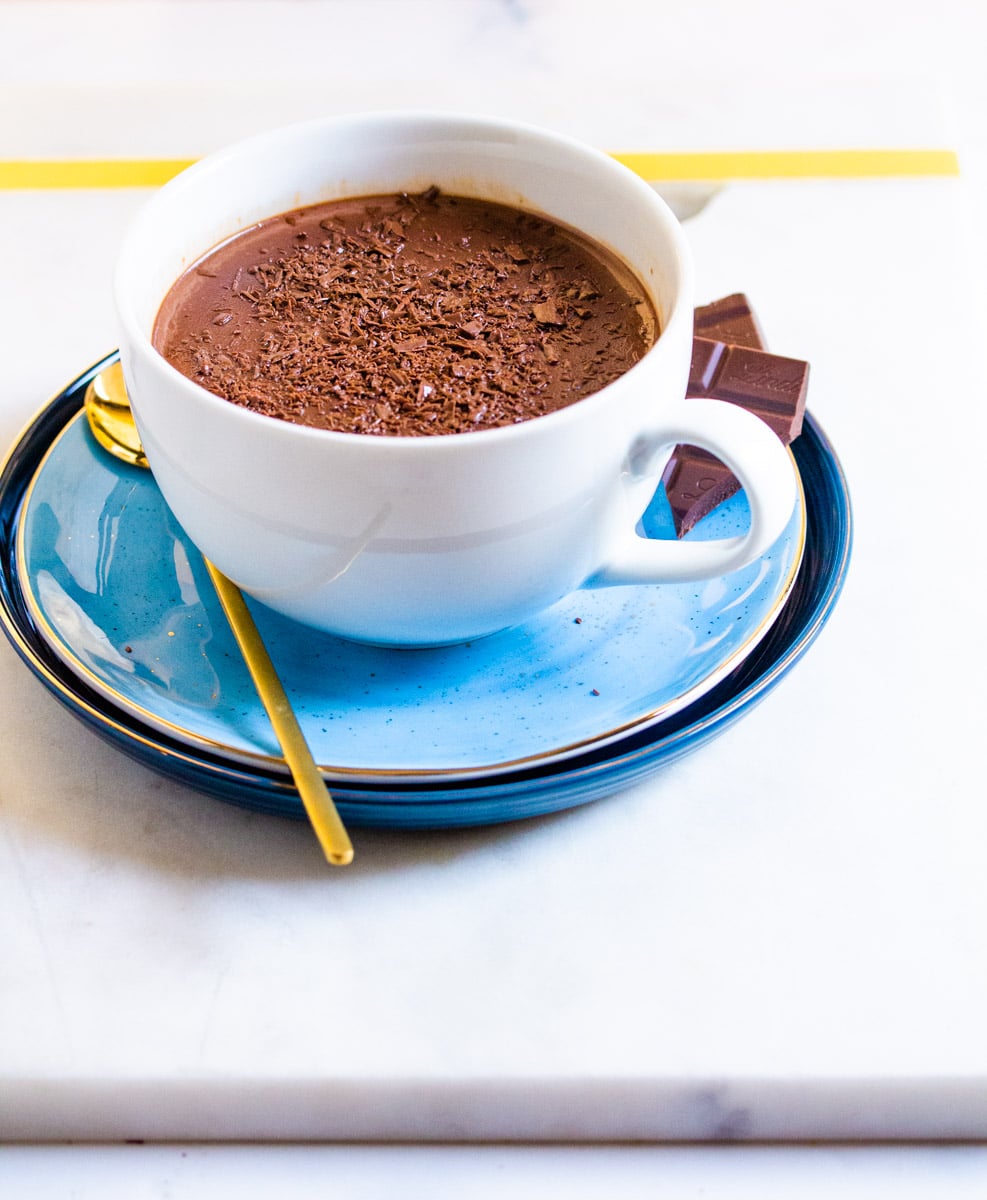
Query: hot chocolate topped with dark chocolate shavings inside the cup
{"type": "Point", "coordinates": [409, 315]}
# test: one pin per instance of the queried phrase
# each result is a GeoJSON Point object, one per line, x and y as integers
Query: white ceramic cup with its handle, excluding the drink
{"type": "Point", "coordinates": [430, 541]}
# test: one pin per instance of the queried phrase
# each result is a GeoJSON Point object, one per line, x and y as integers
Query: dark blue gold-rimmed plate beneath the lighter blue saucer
{"type": "Point", "coordinates": [470, 799]}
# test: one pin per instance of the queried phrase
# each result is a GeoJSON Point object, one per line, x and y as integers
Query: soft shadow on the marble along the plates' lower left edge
{"type": "Point", "coordinates": [107, 807]}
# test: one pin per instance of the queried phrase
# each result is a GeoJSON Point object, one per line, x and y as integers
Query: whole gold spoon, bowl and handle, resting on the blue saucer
{"type": "Point", "coordinates": [109, 412]}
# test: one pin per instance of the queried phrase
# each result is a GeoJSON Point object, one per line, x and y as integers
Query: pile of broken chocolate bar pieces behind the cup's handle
{"type": "Point", "coordinates": [732, 365]}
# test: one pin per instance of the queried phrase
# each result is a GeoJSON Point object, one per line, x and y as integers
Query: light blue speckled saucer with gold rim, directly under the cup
{"type": "Point", "coordinates": [122, 598]}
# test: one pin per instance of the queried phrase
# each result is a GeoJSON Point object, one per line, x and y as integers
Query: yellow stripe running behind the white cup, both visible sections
{"type": "Point", "coordinates": [52, 173]}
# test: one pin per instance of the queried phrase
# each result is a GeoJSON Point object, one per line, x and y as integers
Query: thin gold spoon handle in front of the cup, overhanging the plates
{"type": "Point", "coordinates": [312, 787]}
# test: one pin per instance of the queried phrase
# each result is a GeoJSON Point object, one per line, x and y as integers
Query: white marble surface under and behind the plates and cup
{"type": "Point", "coordinates": [779, 938]}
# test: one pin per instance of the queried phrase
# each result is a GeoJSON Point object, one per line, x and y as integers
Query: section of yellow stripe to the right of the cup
{"type": "Point", "coordinates": [792, 164]}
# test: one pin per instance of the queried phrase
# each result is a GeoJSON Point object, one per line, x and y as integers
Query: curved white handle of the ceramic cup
{"type": "Point", "coordinates": [767, 473]}
